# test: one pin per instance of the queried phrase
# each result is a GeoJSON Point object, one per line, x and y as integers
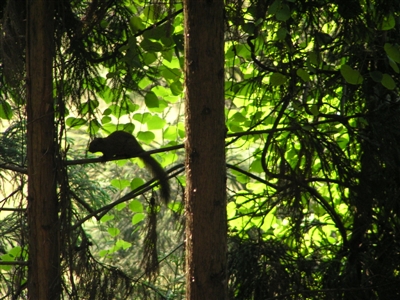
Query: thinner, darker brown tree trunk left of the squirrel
{"type": "Point", "coordinates": [44, 258]}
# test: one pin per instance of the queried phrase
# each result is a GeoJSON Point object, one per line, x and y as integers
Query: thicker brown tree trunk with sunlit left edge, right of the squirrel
{"type": "Point", "coordinates": [206, 227]}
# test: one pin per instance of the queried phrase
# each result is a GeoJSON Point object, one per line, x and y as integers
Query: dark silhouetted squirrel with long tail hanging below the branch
{"type": "Point", "coordinates": [124, 144]}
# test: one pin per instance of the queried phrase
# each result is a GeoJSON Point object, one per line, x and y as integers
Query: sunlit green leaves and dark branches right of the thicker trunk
{"type": "Point", "coordinates": [314, 101]}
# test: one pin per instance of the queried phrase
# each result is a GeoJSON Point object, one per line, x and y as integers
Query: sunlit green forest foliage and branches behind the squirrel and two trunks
{"type": "Point", "coordinates": [312, 124]}
